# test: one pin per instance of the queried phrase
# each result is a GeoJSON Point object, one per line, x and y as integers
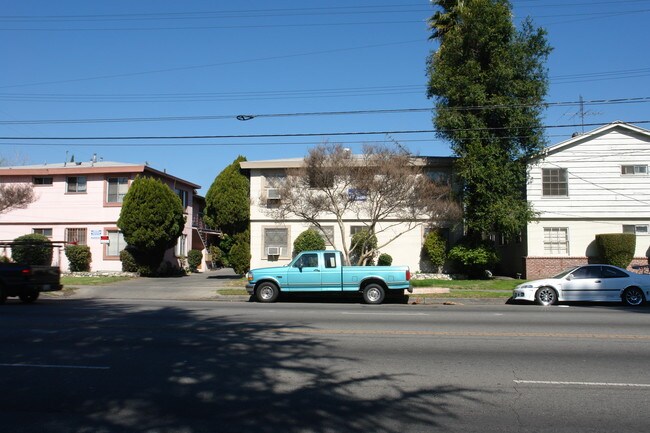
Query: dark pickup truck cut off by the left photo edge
{"type": "Point", "coordinates": [27, 281]}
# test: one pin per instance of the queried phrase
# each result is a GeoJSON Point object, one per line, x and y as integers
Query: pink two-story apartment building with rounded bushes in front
{"type": "Point", "coordinates": [80, 203]}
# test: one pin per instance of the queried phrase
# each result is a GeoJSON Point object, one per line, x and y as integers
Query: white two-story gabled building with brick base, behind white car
{"type": "Point", "coordinates": [593, 183]}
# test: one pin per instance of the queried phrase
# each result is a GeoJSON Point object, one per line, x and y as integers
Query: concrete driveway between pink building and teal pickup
{"type": "Point", "coordinates": [198, 286]}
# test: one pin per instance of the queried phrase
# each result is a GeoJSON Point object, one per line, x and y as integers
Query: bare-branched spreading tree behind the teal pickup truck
{"type": "Point", "coordinates": [383, 184]}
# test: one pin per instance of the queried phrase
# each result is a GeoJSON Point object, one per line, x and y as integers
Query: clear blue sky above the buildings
{"type": "Point", "coordinates": [124, 68]}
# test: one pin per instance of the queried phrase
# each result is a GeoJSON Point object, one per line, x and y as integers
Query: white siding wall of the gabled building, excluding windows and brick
{"type": "Point", "coordinates": [600, 198]}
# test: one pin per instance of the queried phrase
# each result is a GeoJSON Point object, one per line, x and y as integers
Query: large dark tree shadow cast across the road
{"type": "Point", "coordinates": [170, 369]}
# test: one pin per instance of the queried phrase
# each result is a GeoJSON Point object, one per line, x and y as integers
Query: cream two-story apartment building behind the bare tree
{"type": "Point", "coordinates": [272, 240]}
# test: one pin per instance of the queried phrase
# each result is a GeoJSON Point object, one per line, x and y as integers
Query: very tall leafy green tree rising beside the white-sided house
{"type": "Point", "coordinates": [488, 80]}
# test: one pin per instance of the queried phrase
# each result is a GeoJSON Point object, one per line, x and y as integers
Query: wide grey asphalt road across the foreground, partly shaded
{"type": "Point", "coordinates": [88, 365]}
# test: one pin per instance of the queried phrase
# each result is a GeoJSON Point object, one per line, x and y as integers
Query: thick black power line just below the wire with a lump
{"type": "Point", "coordinates": [304, 134]}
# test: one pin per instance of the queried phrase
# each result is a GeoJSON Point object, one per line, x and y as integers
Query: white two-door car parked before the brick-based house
{"type": "Point", "coordinates": [592, 283]}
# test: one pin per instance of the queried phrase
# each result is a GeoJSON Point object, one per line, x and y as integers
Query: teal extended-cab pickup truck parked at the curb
{"type": "Point", "coordinates": [322, 271]}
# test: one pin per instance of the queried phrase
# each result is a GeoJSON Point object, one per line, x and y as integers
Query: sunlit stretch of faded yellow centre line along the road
{"type": "Point", "coordinates": [470, 334]}
